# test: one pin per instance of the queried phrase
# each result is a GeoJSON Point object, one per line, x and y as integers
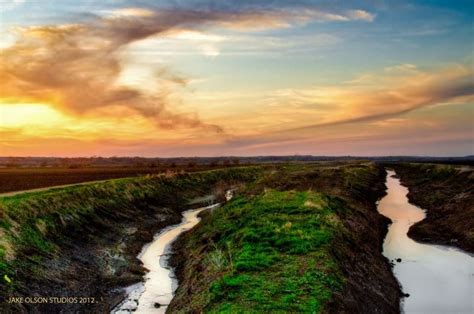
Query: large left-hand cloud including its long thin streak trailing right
{"type": "Point", "coordinates": [76, 66]}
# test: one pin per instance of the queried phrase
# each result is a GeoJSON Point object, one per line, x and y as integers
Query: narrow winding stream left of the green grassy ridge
{"type": "Point", "coordinates": [160, 283]}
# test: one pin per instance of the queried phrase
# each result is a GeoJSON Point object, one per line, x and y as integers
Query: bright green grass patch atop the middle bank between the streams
{"type": "Point", "coordinates": [270, 253]}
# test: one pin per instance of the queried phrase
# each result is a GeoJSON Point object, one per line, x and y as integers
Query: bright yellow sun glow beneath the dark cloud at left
{"type": "Point", "coordinates": [31, 121]}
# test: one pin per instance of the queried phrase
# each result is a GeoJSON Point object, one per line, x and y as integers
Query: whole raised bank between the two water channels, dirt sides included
{"type": "Point", "coordinates": [231, 262]}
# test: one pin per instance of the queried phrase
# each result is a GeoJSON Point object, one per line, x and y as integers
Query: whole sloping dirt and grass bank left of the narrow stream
{"type": "Point", "coordinates": [82, 242]}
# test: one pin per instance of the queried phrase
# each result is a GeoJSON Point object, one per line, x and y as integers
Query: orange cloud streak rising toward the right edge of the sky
{"type": "Point", "coordinates": [376, 96]}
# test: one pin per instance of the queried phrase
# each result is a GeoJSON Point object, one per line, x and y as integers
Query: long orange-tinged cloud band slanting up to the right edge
{"type": "Point", "coordinates": [379, 98]}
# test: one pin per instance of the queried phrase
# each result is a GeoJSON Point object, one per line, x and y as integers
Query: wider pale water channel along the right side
{"type": "Point", "coordinates": [438, 279]}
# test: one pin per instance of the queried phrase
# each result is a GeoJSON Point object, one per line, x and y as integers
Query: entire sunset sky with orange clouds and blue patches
{"type": "Point", "coordinates": [213, 78]}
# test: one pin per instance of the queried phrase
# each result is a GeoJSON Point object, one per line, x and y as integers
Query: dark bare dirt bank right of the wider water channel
{"type": "Point", "coordinates": [447, 194]}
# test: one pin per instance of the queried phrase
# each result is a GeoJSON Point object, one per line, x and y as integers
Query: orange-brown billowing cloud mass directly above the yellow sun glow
{"type": "Point", "coordinates": [76, 69]}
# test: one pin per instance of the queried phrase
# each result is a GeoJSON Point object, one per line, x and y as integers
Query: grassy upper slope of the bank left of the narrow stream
{"type": "Point", "coordinates": [36, 228]}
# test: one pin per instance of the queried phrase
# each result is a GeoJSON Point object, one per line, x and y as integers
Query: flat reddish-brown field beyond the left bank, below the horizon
{"type": "Point", "coordinates": [19, 179]}
